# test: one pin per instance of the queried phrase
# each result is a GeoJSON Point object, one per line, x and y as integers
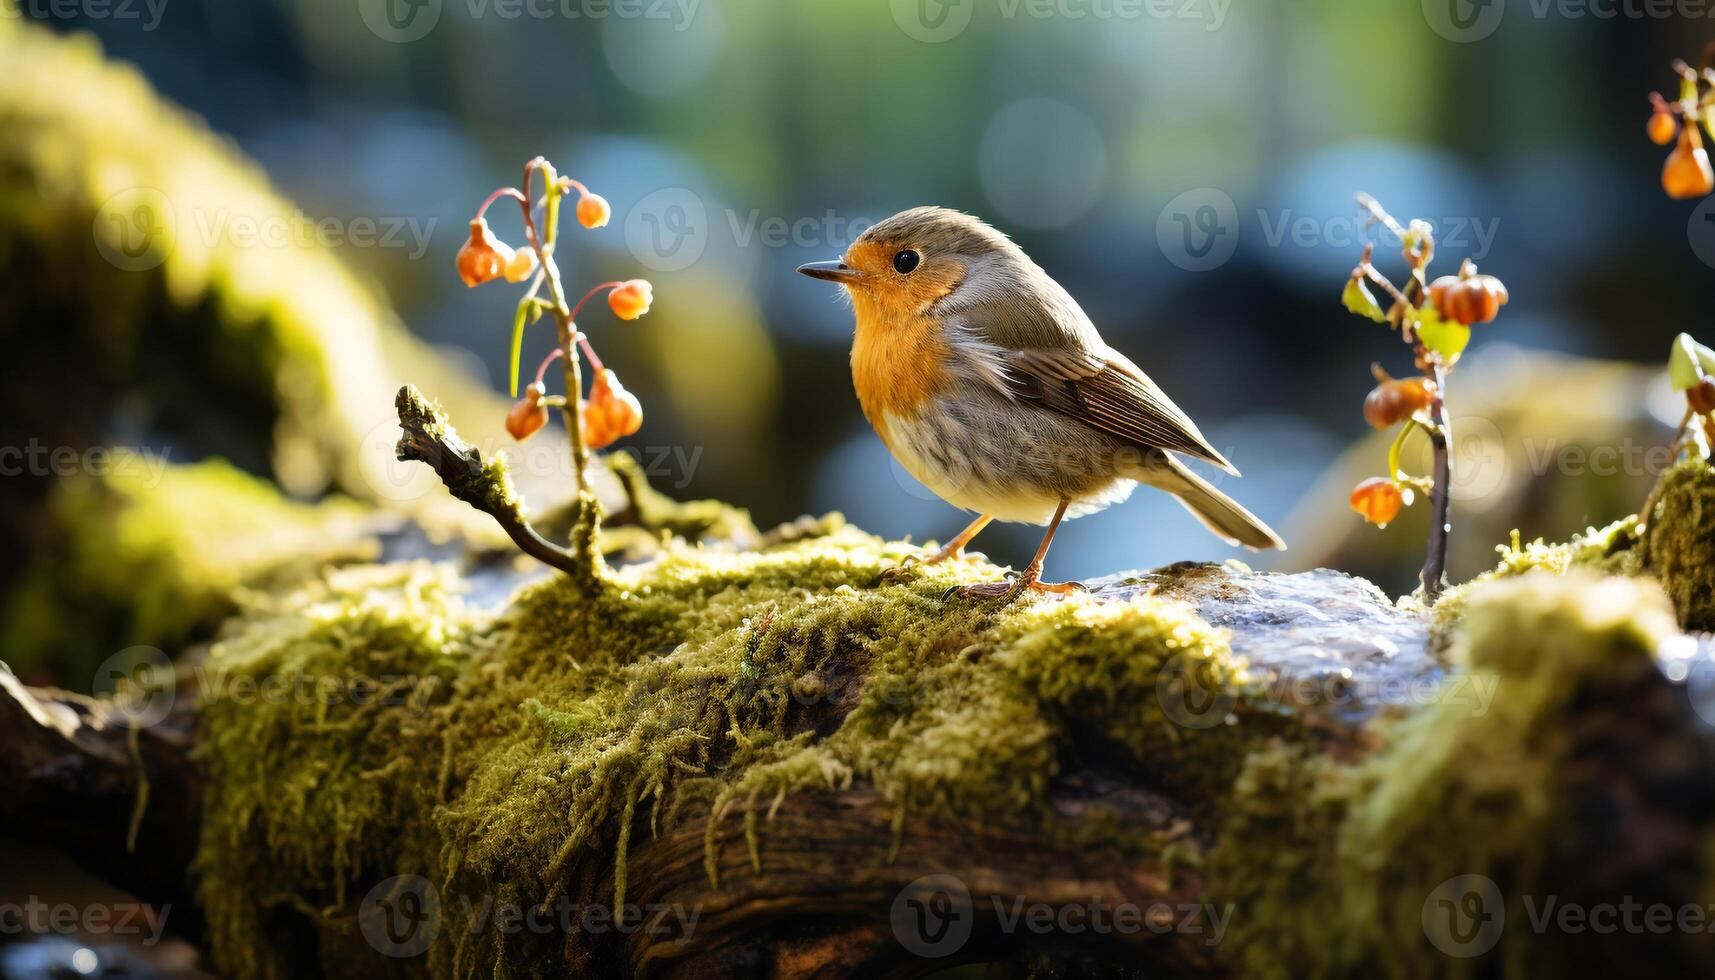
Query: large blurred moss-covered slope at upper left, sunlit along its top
{"type": "Point", "coordinates": [174, 301]}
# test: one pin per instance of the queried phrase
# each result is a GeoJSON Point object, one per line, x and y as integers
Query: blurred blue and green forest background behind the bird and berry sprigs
{"type": "Point", "coordinates": [1184, 167]}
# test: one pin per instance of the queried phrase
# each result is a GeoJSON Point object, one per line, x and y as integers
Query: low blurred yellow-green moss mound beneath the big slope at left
{"type": "Point", "coordinates": [152, 554]}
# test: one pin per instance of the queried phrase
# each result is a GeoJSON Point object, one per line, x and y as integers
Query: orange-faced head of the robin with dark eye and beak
{"type": "Point", "coordinates": [908, 263]}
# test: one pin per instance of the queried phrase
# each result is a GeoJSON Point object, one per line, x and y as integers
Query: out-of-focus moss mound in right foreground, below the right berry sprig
{"type": "Point", "coordinates": [1332, 866]}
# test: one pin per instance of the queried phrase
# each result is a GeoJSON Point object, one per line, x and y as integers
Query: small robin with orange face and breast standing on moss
{"type": "Point", "coordinates": [992, 389]}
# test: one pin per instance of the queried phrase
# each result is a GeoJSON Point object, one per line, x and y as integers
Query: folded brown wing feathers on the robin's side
{"type": "Point", "coordinates": [1109, 392]}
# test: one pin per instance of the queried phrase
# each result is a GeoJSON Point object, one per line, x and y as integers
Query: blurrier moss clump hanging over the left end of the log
{"type": "Point", "coordinates": [323, 754]}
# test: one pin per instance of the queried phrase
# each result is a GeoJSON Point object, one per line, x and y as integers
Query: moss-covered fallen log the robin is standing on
{"type": "Point", "coordinates": [793, 765]}
